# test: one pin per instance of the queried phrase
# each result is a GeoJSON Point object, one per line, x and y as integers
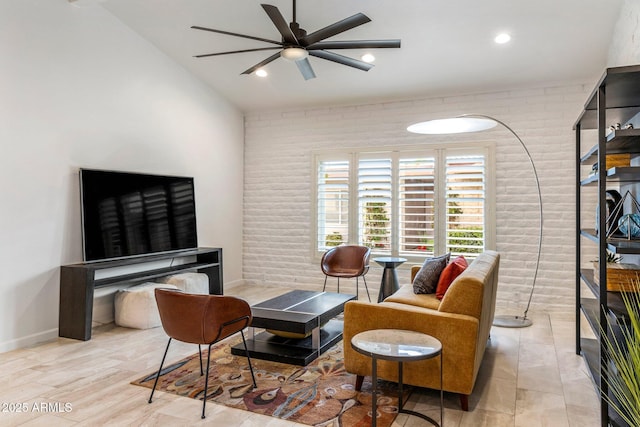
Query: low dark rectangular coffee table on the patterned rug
{"type": "Point", "coordinates": [307, 315]}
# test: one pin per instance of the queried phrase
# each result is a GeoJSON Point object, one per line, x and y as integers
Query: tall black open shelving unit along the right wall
{"type": "Point", "coordinates": [615, 99]}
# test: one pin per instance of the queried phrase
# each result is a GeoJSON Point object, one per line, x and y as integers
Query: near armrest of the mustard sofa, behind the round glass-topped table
{"type": "Point", "coordinates": [457, 333]}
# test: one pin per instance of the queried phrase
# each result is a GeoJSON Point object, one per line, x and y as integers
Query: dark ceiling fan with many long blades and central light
{"type": "Point", "coordinates": [296, 45]}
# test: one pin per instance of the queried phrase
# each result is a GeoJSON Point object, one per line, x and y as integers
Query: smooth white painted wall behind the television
{"type": "Point", "coordinates": [80, 89]}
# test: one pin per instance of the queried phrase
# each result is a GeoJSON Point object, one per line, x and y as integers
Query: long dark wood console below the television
{"type": "Point", "coordinates": [77, 282]}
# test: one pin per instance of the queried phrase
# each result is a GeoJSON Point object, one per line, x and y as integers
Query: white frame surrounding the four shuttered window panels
{"type": "Point", "coordinates": [439, 151]}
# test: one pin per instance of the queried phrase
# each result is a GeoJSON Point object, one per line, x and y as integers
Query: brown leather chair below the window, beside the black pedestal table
{"type": "Point", "coordinates": [346, 261]}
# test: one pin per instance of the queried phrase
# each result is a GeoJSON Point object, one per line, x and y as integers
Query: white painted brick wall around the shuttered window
{"type": "Point", "coordinates": [278, 205]}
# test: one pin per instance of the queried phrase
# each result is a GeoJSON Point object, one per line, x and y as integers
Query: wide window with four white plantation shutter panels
{"type": "Point", "coordinates": [413, 203]}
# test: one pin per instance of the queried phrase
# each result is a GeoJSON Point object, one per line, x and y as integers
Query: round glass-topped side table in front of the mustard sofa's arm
{"type": "Point", "coordinates": [399, 346]}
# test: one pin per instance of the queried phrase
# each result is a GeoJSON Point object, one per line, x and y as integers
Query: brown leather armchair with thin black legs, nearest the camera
{"type": "Point", "coordinates": [201, 319]}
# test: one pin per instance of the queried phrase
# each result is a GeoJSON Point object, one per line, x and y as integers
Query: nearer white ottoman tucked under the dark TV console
{"type": "Point", "coordinates": [135, 307]}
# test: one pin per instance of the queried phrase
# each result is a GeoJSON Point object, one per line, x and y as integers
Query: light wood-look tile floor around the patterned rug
{"type": "Point", "coordinates": [530, 377]}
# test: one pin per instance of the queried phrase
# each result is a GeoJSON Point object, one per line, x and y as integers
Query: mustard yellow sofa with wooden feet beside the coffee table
{"type": "Point", "coordinates": [461, 321]}
